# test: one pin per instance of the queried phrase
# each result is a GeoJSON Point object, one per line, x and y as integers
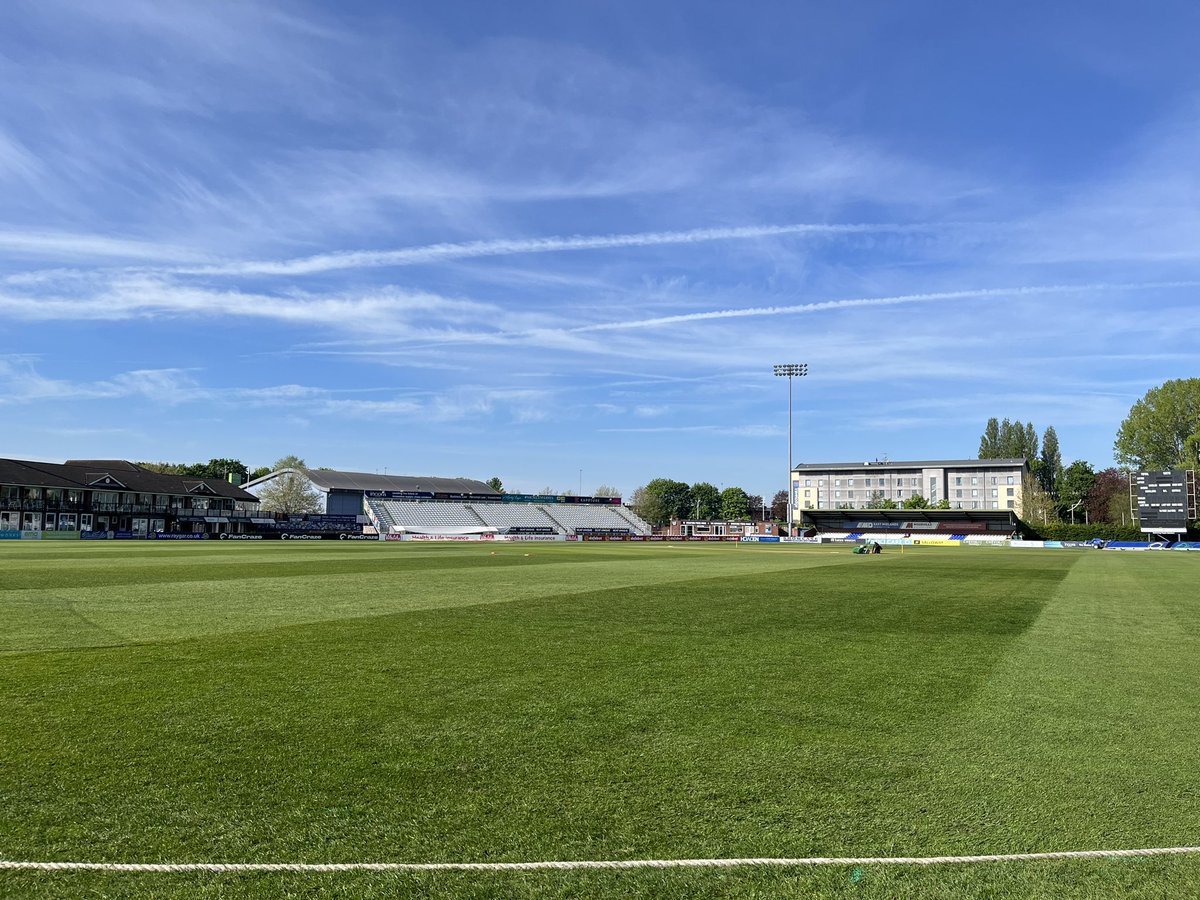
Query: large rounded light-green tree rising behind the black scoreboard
{"type": "Point", "coordinates": [1157, 433]}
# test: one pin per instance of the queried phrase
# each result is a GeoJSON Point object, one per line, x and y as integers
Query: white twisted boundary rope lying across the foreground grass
{"type": "Point", "coordinates": [778, 862]}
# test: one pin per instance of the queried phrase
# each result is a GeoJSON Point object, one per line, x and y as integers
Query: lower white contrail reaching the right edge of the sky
{"type": "Point", "coordinates": [977, 293]}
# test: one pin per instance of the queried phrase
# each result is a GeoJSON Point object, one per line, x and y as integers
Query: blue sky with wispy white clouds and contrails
{"type": "Point", "coordinates": [565, 244]}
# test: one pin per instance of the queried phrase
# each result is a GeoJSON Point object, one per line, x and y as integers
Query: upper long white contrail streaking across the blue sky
{"type": "Point", "coordinates": [471, 250]}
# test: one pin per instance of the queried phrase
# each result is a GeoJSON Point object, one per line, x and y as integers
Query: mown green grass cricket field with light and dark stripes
{"type": "Point", "coordinates": [440, 704]}
